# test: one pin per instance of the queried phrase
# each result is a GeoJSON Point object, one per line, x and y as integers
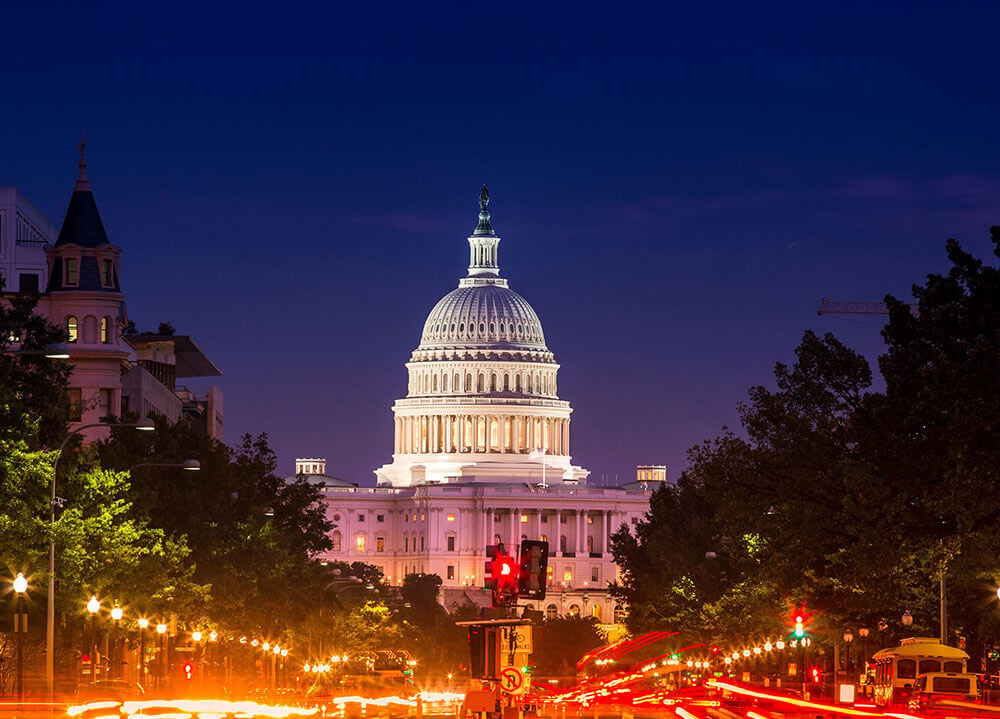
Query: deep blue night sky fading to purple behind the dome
{"type": "Point", "coordinates": [676, 188]}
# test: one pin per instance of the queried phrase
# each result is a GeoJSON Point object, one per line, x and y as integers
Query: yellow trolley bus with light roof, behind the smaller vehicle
{"type": "Point", "coordinates": [897, 668]}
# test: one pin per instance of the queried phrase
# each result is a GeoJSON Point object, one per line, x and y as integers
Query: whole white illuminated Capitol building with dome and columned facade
{"type": "Point", "coordinates": [482, 455]}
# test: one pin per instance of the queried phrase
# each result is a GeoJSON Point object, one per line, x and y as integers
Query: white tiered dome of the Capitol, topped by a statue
{"type": "Point", "coordinates": [482, 402]}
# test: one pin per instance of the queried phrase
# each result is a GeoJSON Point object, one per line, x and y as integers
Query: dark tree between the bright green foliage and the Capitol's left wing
{"type": "Point", "coordinates": [252, 535]}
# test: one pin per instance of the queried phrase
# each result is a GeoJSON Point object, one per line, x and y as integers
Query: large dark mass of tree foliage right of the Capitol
{"type": "Point", "coordinates": [839, 497]}
